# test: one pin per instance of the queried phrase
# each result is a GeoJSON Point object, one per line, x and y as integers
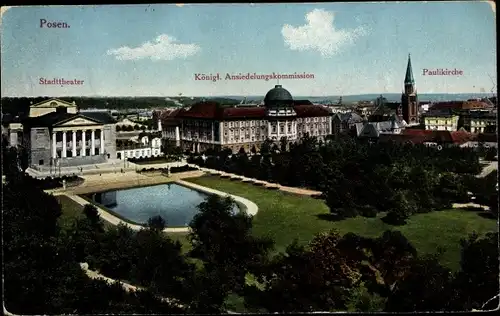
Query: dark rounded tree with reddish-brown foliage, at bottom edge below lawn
{"type": "Point", "coordinates": [306, 279]}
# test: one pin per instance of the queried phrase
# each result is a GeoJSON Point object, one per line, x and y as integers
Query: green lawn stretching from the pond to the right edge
{"type": "Point", "coordinates": [285, 216]}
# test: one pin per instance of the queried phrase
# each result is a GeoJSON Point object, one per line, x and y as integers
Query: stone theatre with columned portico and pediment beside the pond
{"type": "Point", "coordinates": [56, 134]}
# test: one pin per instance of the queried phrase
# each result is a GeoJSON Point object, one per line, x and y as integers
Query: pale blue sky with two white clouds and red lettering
{"type": "Point", "coordinates": [157, 50]}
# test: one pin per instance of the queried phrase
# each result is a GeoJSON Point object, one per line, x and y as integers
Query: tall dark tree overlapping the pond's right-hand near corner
{"type": "Point", "coordinates": [224, 243]}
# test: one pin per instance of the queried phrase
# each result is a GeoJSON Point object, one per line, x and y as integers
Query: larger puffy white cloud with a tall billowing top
{"type": "Point", "coordinates": [319, 34]}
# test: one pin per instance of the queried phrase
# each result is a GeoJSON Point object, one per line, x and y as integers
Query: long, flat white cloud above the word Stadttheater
{"type": "Point", "coordinates": [164, 47]}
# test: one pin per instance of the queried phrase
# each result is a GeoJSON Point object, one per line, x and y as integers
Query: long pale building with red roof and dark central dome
{"type": "Point", "coordinates": [209, 125]}
